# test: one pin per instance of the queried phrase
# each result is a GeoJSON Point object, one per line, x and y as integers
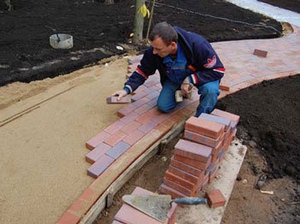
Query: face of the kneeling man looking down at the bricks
{"type": "Point", "coordinates": [161, 49]}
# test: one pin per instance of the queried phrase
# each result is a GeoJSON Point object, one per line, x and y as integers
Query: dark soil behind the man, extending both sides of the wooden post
{"type": "Point", "coordinates": [25, 53]}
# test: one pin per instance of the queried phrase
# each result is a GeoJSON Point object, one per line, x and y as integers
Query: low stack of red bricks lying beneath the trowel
{"type": "Point", "coordinates": [130, 215]}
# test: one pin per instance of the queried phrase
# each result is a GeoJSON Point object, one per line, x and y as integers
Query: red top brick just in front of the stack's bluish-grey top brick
{"type": "Point", "coordinates": [204, 127]}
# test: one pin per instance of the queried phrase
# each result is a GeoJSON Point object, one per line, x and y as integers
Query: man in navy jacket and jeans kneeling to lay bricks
{"type": "Point", "coordinates": [182, 58]}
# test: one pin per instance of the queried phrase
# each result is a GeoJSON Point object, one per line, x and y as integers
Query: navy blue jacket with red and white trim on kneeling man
{"type": "Point", "coordinates": [203, 64]}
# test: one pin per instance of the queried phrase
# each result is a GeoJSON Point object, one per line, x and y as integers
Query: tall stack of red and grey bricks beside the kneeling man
{"type": "Point", "coordinates": [198, 155]}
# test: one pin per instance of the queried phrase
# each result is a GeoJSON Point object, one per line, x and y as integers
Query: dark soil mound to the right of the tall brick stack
{"type": "Point", "coordinates": [269, 115]}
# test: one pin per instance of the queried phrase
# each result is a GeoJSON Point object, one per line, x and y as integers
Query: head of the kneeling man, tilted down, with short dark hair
{"type": "Point", "coordinates": [163, 38]}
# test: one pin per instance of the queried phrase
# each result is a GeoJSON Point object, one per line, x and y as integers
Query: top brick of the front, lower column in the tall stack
{"type": "Point", "coordinates": [193, 150]}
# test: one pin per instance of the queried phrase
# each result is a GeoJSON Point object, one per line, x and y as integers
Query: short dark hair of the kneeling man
{"type": "Point", "coordinates": [165, 31]}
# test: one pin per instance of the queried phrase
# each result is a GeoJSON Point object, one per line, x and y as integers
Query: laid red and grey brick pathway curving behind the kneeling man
{"type": "Point", "coordinates": [141, 125]}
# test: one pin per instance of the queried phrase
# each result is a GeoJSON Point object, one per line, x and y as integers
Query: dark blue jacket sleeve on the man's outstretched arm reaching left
{"type": "Point", "coordinates": [147, 67]}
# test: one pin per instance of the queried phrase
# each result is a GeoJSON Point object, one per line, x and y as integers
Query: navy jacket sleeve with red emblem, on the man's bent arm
{"type": "Point", "coordinates": [208, 65]}
